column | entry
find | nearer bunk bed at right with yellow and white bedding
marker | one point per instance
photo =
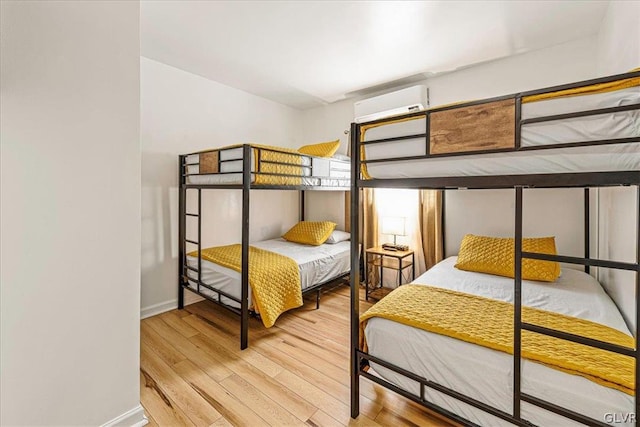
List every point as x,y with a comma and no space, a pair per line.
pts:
584,135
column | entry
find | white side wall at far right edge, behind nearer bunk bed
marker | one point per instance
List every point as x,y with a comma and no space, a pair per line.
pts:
619,52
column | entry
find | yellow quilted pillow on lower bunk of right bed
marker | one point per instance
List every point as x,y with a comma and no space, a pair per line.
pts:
496,255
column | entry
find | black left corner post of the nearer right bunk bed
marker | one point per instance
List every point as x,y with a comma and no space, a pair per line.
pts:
355,272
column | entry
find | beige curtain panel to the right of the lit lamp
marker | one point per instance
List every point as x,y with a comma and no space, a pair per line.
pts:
431,226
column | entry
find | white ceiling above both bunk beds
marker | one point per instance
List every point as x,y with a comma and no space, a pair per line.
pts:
310,53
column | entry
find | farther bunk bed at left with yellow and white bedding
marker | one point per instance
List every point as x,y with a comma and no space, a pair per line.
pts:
222,274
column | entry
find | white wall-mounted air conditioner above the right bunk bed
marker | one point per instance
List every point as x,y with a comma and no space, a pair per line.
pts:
411,99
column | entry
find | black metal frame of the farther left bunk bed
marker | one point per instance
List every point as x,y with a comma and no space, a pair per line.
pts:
246,187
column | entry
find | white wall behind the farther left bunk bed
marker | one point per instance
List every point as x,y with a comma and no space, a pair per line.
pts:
183,113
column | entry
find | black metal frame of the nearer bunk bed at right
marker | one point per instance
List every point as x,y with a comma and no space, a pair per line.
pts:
360,359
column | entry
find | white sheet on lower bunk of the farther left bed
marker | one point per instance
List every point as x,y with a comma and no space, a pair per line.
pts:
317,264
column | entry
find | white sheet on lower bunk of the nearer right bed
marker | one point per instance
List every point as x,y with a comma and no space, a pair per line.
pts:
487,374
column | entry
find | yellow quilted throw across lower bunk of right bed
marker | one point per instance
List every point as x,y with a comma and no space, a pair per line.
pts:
489,323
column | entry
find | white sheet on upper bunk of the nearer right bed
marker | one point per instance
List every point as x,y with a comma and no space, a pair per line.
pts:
576,159
